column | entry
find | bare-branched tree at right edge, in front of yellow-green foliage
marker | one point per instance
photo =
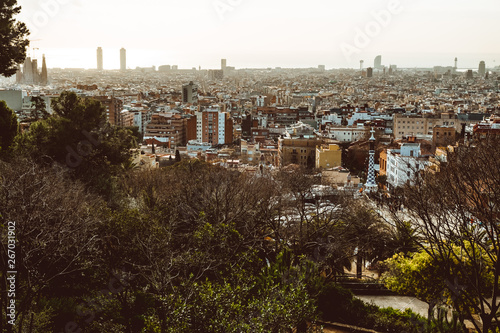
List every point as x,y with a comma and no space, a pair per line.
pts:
456,212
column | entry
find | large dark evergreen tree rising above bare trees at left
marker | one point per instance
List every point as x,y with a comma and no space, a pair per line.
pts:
77,135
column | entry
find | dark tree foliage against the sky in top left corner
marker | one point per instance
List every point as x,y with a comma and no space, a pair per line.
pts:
13,41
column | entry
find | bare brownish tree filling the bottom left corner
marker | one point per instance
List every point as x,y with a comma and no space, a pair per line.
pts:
55,225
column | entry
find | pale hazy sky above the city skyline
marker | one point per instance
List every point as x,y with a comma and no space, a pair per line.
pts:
264,33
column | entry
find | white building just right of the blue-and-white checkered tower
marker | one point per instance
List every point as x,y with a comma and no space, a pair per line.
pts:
404,163
